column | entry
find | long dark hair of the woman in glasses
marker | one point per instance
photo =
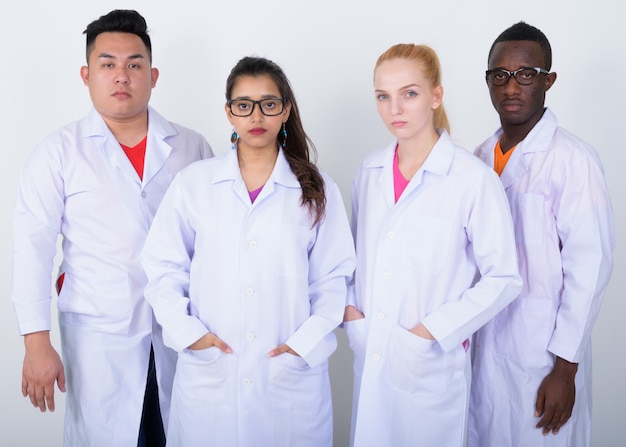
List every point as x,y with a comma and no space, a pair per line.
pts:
299,146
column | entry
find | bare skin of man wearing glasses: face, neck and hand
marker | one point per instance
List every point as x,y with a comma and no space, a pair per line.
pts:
520,108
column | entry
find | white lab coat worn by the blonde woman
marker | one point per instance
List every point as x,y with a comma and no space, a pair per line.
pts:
443,255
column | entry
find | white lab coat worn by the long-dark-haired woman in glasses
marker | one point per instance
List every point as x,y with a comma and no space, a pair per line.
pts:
257,275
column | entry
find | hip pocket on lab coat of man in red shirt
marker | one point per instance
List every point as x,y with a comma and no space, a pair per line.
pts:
101,302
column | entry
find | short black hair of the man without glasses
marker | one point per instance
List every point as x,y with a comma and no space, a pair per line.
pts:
118,20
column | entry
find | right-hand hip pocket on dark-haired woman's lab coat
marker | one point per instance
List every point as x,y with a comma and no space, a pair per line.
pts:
293,384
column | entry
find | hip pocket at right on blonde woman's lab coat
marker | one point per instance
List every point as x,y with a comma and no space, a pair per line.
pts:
415,364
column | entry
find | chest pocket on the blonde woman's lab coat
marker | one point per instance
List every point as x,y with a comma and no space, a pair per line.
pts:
428,242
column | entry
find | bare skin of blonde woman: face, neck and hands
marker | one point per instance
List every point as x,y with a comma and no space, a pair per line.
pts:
406,101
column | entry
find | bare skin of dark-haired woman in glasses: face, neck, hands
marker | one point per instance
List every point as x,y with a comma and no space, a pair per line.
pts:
257,150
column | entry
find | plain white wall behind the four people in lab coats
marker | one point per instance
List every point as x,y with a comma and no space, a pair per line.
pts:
328,49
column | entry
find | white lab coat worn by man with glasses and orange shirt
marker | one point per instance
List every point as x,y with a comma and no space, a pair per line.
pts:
564,230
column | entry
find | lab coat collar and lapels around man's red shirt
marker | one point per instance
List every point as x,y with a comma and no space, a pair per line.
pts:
157,148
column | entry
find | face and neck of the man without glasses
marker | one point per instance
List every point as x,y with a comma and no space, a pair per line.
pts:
120,81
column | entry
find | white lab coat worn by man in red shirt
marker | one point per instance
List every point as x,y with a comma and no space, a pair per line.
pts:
79,183
